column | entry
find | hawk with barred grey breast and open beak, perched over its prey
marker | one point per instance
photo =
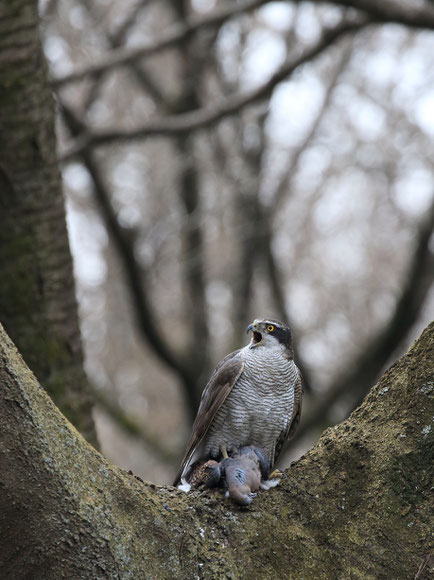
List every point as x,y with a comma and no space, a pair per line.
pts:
252,398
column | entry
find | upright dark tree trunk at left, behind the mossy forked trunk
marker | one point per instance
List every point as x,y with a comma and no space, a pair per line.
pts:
37,300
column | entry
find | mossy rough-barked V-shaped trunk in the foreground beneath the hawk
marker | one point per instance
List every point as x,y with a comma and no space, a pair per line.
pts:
358,505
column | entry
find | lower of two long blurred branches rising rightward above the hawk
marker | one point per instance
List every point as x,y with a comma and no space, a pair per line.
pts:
206,117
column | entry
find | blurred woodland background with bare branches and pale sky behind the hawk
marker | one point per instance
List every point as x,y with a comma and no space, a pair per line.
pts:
230,160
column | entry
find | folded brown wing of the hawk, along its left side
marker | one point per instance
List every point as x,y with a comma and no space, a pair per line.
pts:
224,377
